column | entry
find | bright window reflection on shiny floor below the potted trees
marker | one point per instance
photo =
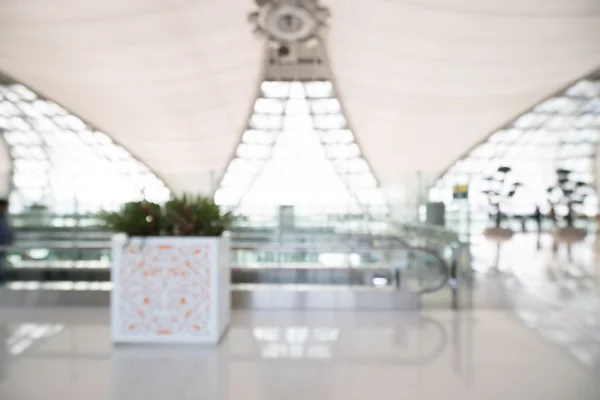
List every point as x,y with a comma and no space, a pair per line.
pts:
553,291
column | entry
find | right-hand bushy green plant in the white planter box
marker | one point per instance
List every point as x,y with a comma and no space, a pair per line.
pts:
190,215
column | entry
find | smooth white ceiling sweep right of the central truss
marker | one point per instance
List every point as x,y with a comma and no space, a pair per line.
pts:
425,80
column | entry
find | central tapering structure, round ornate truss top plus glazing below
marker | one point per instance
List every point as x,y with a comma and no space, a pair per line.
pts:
298,149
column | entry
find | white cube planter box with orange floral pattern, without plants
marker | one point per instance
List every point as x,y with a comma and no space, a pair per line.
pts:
170,289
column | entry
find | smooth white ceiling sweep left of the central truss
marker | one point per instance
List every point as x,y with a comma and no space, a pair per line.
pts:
171,80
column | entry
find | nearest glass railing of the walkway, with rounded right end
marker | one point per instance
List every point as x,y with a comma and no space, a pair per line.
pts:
404,268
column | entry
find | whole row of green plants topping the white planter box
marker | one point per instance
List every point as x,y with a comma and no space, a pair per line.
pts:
185,215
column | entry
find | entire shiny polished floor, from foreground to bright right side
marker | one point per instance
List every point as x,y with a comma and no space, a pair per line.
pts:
528,329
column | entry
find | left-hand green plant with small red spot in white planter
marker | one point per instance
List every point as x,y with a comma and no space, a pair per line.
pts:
138,218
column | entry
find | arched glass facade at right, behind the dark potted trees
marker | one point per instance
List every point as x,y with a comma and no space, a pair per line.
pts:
561,132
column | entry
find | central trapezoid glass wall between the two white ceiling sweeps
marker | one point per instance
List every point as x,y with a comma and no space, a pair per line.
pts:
298,151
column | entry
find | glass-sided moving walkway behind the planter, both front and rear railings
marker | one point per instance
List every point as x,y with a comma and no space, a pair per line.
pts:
413,257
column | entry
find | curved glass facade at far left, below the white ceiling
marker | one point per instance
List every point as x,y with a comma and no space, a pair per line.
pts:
61,163
